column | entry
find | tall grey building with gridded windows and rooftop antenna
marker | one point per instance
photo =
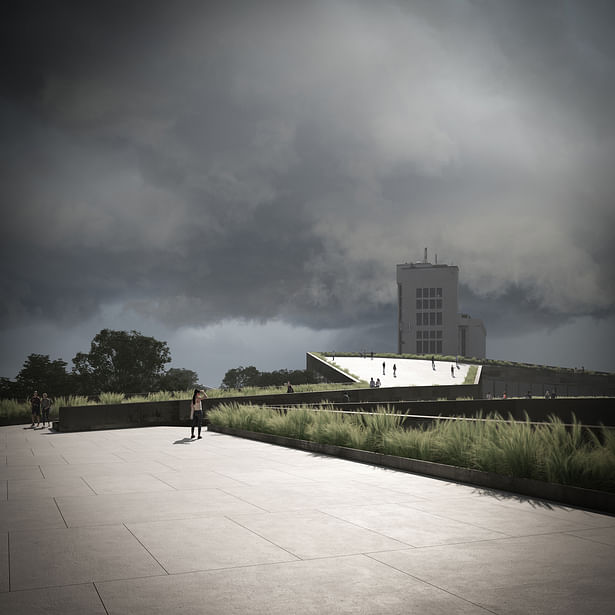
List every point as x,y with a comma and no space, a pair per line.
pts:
428,313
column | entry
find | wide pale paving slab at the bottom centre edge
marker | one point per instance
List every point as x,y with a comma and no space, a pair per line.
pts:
356,584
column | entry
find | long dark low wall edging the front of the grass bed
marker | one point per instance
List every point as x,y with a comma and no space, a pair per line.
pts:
575,496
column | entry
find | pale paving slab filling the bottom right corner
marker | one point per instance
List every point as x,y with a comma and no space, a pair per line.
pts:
495,574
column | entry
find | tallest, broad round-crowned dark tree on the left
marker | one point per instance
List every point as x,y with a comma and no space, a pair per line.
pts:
123,362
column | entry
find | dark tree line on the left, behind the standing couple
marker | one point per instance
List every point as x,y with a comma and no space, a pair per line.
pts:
118,361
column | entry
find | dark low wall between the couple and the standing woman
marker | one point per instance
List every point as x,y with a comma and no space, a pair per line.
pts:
118,416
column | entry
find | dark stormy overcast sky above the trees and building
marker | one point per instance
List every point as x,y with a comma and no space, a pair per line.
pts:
239,179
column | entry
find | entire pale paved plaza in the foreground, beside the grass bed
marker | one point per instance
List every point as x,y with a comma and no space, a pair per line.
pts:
148,521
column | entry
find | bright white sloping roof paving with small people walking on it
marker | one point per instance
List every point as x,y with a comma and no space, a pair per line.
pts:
408,372
